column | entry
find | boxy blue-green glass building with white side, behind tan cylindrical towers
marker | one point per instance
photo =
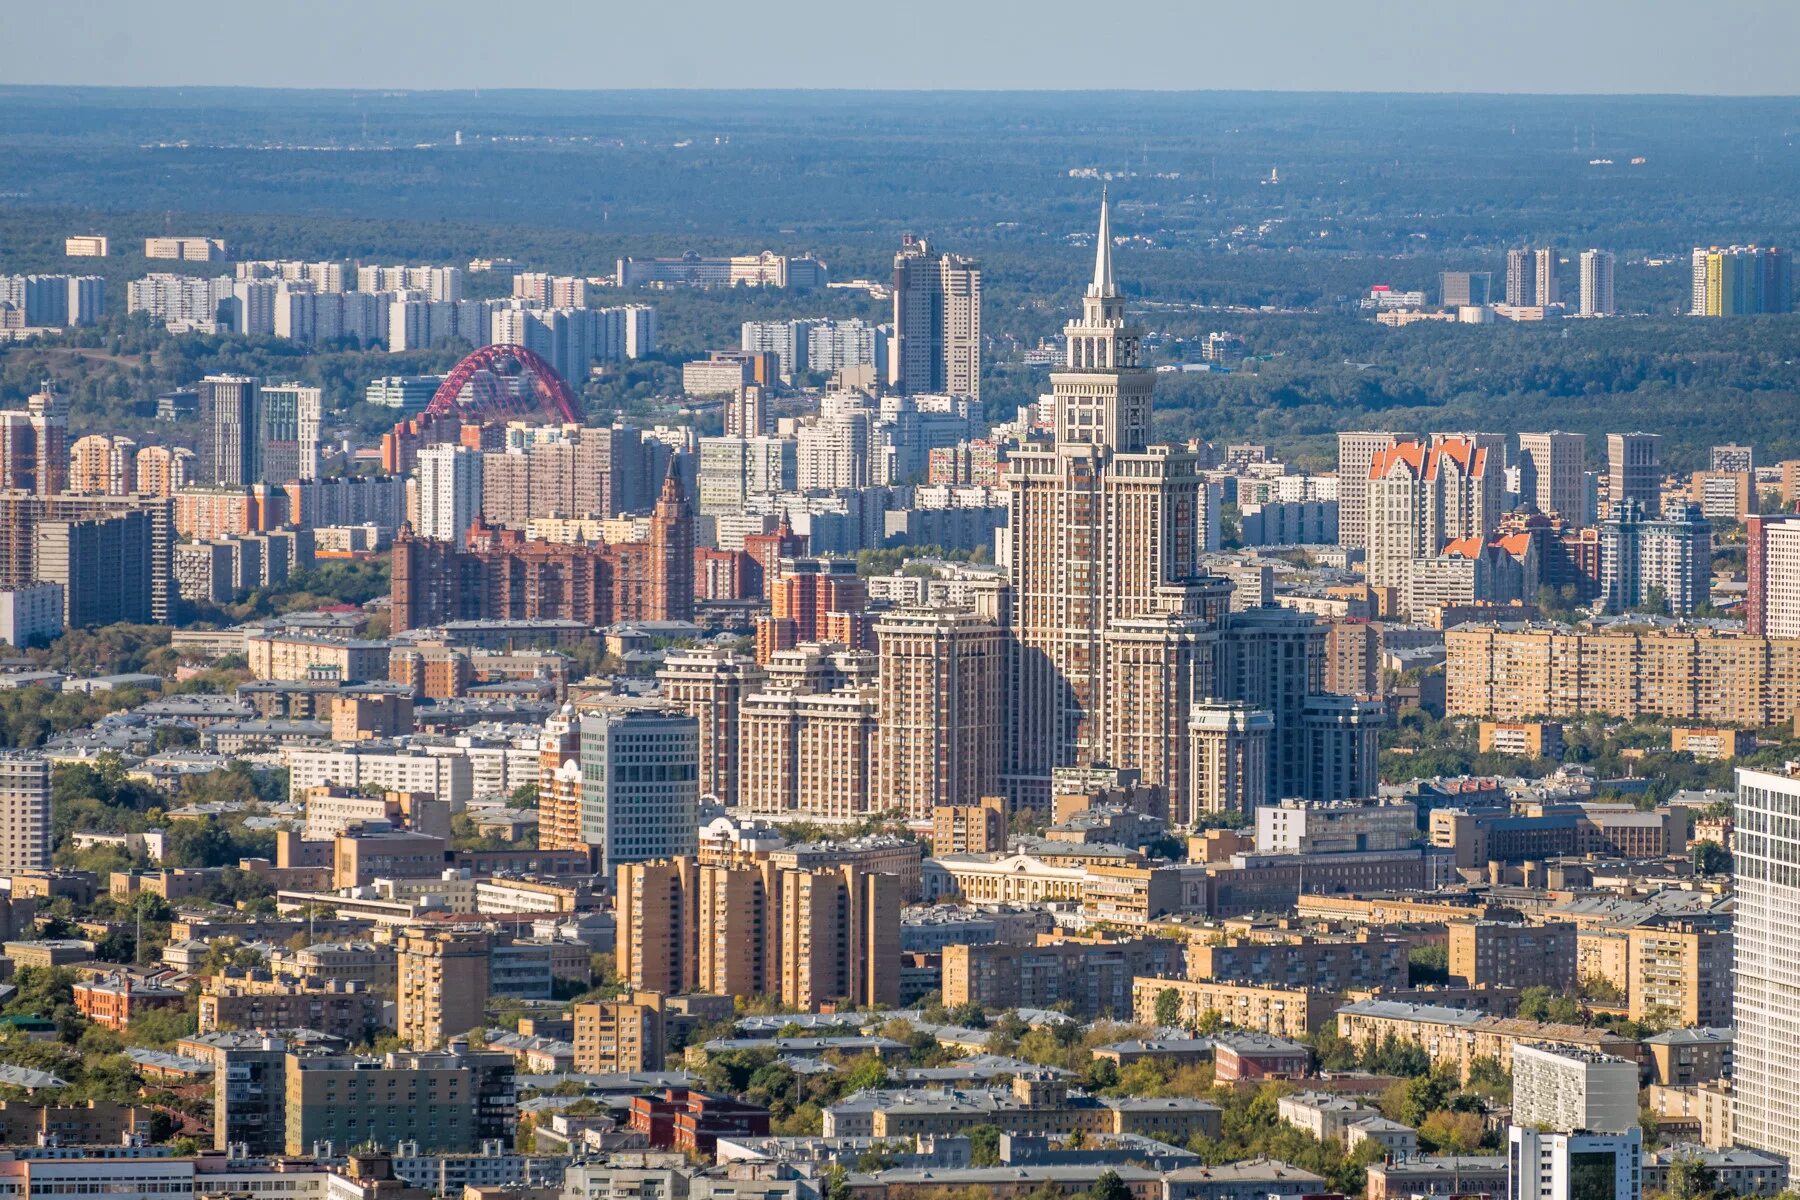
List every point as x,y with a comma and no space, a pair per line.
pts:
640,782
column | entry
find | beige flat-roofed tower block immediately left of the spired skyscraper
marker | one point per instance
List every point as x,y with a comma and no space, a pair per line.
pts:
940,721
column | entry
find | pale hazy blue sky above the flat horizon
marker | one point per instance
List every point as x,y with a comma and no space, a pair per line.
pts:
1372,46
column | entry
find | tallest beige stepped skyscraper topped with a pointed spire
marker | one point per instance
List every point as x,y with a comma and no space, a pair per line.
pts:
1102,524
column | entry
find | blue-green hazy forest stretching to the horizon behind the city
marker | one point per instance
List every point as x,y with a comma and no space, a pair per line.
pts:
1367,190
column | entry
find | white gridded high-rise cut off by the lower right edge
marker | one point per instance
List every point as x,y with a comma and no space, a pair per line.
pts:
1767,927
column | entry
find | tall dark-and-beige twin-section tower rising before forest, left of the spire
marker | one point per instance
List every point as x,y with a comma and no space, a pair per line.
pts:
937,339
